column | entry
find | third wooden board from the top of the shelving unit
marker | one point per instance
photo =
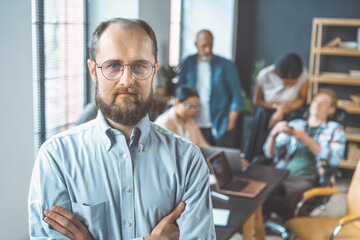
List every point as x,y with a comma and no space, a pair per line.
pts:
336,78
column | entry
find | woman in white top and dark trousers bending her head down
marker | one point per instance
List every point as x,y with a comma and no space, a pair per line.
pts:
280,89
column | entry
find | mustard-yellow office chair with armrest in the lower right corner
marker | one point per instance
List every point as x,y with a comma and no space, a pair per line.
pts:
348,227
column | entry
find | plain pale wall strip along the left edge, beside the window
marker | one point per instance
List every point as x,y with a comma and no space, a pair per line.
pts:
16,121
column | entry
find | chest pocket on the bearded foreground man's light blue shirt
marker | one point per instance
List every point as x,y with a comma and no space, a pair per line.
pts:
95,217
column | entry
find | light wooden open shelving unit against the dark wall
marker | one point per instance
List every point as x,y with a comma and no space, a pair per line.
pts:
335,78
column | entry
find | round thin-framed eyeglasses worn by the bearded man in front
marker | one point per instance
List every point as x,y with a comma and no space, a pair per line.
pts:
114,69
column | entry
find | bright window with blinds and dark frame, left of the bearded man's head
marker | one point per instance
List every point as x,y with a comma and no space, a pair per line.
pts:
59,47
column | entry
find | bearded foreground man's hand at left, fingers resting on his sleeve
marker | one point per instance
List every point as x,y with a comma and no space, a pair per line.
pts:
66,223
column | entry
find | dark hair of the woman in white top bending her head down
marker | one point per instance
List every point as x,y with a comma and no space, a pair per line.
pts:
289,66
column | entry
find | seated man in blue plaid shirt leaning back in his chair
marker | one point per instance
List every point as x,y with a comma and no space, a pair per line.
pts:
310,147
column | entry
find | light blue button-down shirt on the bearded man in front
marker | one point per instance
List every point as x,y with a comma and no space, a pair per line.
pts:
121,190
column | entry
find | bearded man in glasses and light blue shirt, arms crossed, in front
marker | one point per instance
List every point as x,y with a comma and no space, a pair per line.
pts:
120,176
